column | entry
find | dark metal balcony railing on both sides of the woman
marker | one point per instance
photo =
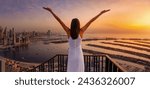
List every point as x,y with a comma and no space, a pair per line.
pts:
93,63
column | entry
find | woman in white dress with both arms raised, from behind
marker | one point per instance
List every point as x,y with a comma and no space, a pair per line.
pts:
75,34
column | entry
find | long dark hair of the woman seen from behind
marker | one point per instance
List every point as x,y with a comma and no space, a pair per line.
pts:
75,28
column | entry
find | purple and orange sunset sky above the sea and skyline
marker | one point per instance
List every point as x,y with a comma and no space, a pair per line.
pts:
125,17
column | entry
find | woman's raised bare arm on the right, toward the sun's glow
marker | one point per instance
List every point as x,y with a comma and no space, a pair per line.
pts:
83,29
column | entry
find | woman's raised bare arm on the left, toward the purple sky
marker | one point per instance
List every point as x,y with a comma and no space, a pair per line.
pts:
58,19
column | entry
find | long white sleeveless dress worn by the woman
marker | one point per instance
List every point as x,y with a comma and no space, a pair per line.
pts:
75,55
